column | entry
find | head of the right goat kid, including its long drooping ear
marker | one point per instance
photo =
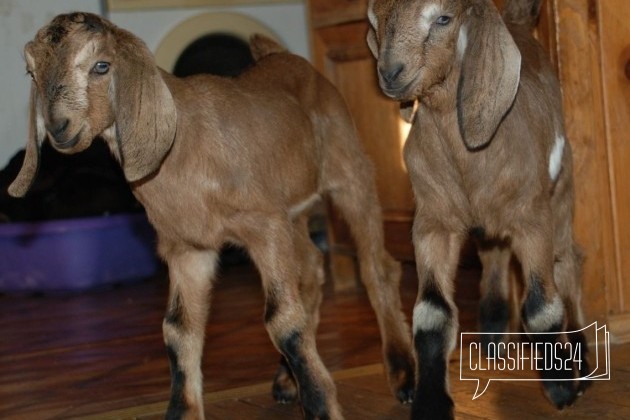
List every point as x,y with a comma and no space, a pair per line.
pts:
420,44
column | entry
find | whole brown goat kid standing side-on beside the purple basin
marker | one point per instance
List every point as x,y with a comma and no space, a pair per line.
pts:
216,160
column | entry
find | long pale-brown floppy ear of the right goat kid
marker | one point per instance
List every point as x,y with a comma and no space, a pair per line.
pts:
489,77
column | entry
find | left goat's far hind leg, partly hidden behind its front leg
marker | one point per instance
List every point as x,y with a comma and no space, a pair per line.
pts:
311,279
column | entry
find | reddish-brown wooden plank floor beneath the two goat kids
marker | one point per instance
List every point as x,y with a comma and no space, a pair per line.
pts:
100,355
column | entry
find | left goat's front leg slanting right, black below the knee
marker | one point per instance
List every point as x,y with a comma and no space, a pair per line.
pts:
271,245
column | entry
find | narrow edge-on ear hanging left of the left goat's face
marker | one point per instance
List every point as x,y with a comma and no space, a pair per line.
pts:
19,187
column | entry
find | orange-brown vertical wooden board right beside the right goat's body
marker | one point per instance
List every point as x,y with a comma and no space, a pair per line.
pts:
580,76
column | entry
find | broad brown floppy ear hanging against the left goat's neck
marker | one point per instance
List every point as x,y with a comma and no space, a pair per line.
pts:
146,117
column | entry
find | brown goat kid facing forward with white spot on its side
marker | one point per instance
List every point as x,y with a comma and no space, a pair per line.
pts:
487,156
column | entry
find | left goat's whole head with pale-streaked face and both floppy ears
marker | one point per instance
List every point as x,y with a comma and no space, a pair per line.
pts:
90,78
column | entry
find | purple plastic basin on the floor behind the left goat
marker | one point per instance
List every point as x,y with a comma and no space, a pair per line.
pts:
76,254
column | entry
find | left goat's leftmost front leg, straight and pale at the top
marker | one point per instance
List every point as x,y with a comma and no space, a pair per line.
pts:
191,273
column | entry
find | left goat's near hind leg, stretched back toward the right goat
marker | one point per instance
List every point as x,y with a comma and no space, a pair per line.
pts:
348,177
